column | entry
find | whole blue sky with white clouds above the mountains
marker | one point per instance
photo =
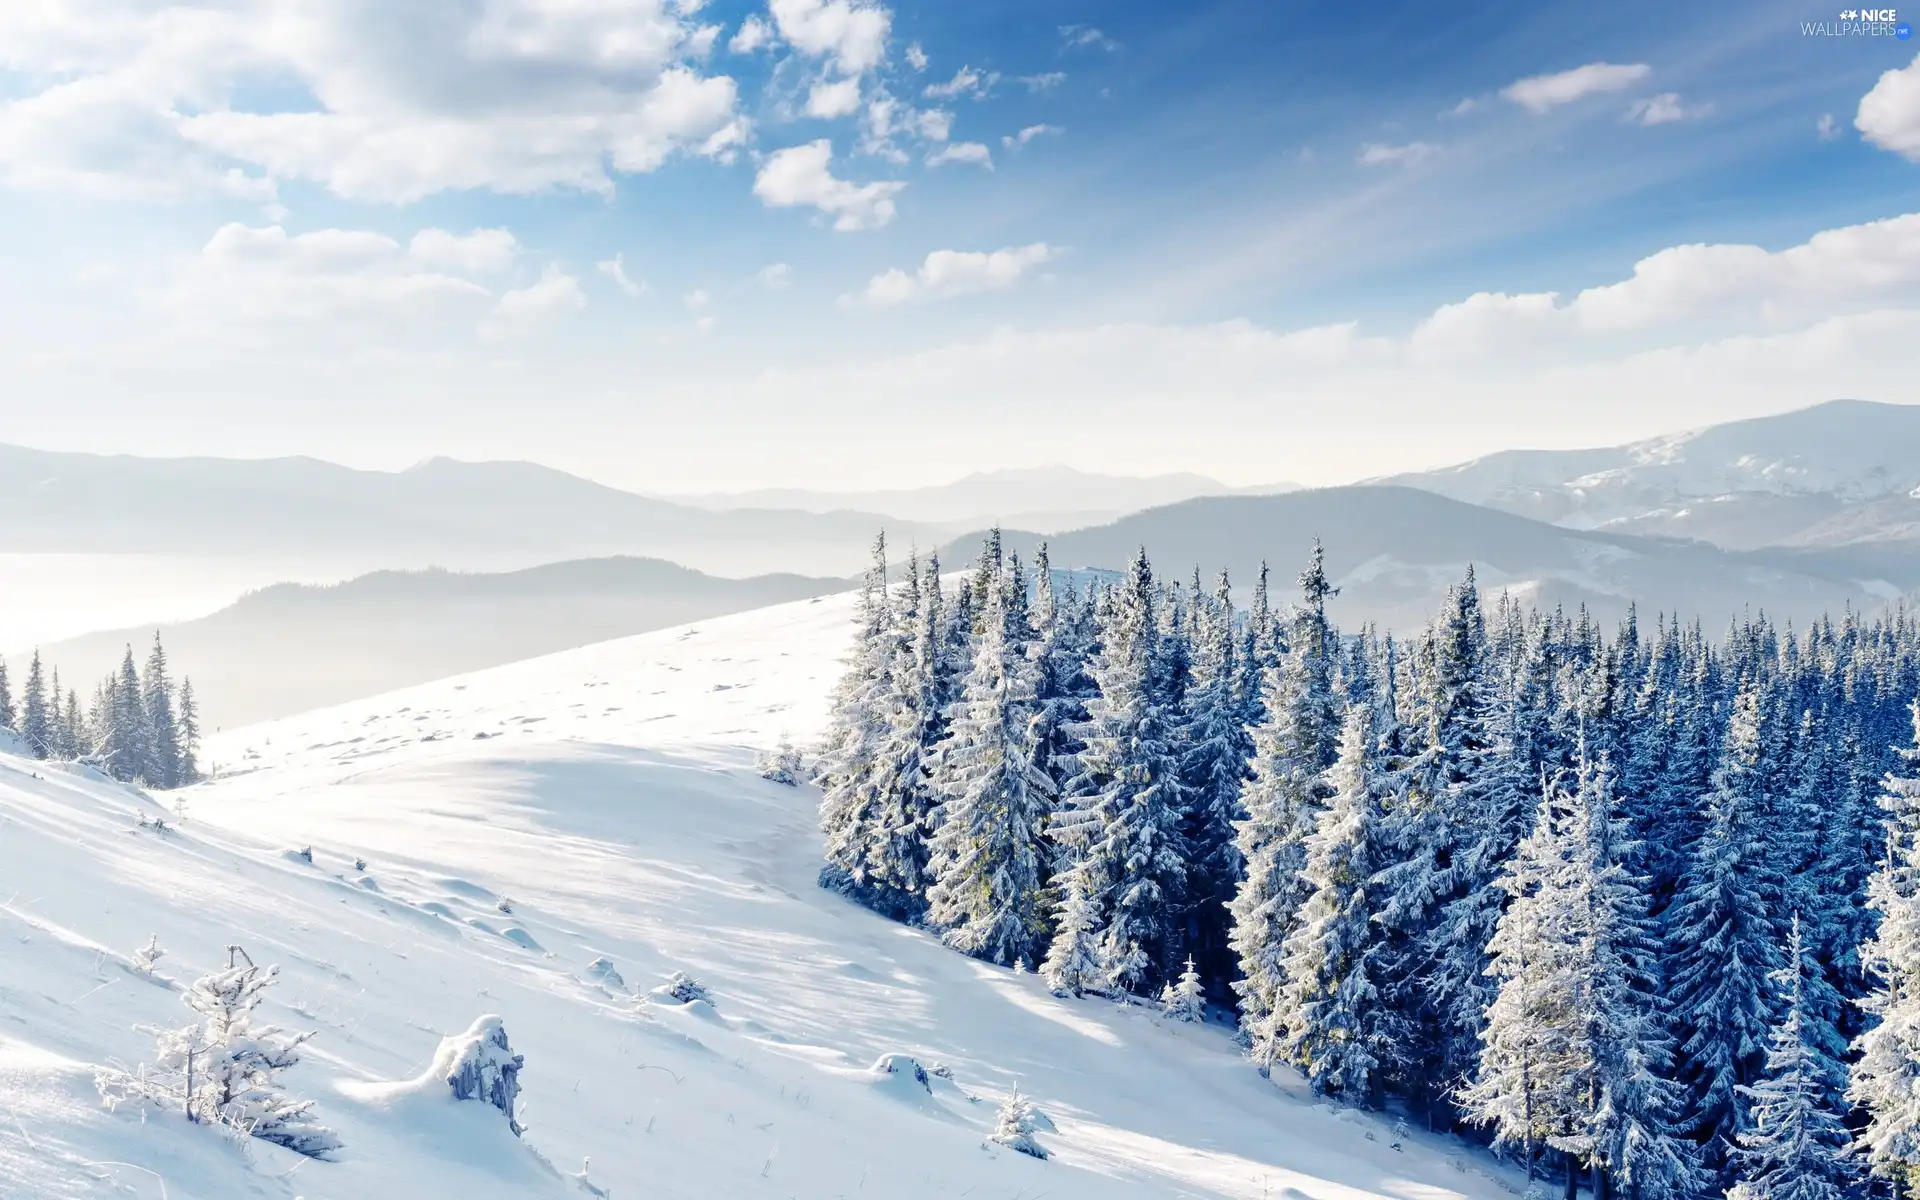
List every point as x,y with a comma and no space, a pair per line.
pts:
865,245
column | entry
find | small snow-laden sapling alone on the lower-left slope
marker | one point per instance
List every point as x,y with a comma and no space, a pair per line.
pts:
224,1068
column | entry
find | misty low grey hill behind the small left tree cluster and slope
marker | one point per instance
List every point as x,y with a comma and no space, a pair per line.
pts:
295,648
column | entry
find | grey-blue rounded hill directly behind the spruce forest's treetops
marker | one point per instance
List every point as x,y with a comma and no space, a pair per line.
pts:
1397,550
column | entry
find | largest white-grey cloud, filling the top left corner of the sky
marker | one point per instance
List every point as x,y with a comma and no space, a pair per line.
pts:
514,95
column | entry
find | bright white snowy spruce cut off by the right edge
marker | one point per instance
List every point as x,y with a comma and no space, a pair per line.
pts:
1886,1076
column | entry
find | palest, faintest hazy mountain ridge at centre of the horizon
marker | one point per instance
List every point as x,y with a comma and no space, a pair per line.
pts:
1038,498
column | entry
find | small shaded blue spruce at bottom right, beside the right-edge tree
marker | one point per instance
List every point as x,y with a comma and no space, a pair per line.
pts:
1798,1145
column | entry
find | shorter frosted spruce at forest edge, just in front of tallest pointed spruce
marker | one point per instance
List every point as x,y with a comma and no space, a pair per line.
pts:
1337,1026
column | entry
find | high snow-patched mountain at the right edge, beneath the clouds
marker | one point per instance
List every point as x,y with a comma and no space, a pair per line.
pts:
1812,477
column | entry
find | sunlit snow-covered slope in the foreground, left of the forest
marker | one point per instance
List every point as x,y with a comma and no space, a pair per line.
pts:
606,798
